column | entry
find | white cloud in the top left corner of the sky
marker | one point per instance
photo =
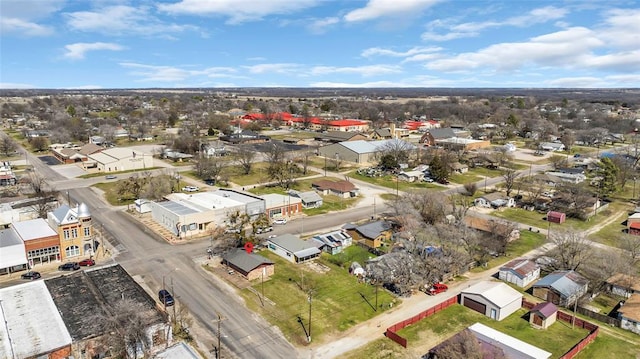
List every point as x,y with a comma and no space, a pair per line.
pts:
21,16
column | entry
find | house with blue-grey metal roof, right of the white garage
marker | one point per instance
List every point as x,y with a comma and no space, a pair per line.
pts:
561,287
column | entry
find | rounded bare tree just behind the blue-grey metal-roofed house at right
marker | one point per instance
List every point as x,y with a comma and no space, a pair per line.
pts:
571,250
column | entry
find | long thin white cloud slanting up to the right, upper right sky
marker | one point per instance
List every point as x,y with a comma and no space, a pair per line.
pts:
472,29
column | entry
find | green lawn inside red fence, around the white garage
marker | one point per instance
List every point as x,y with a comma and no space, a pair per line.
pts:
557,339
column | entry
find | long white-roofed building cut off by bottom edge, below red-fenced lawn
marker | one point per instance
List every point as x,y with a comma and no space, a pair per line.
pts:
492,344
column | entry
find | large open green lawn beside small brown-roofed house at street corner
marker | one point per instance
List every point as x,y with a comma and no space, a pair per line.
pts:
337,304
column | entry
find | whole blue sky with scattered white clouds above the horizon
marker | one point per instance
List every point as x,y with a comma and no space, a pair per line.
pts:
318,43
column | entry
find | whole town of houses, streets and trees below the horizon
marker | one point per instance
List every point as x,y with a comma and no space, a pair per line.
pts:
316,228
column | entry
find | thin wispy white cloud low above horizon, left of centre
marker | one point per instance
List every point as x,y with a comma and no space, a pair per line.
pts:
159,73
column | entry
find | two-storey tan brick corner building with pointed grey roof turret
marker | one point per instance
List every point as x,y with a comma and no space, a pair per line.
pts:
75,230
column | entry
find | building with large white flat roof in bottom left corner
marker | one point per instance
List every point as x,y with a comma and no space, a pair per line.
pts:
32,326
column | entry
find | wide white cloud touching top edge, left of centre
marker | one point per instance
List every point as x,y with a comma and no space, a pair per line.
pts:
237,11
